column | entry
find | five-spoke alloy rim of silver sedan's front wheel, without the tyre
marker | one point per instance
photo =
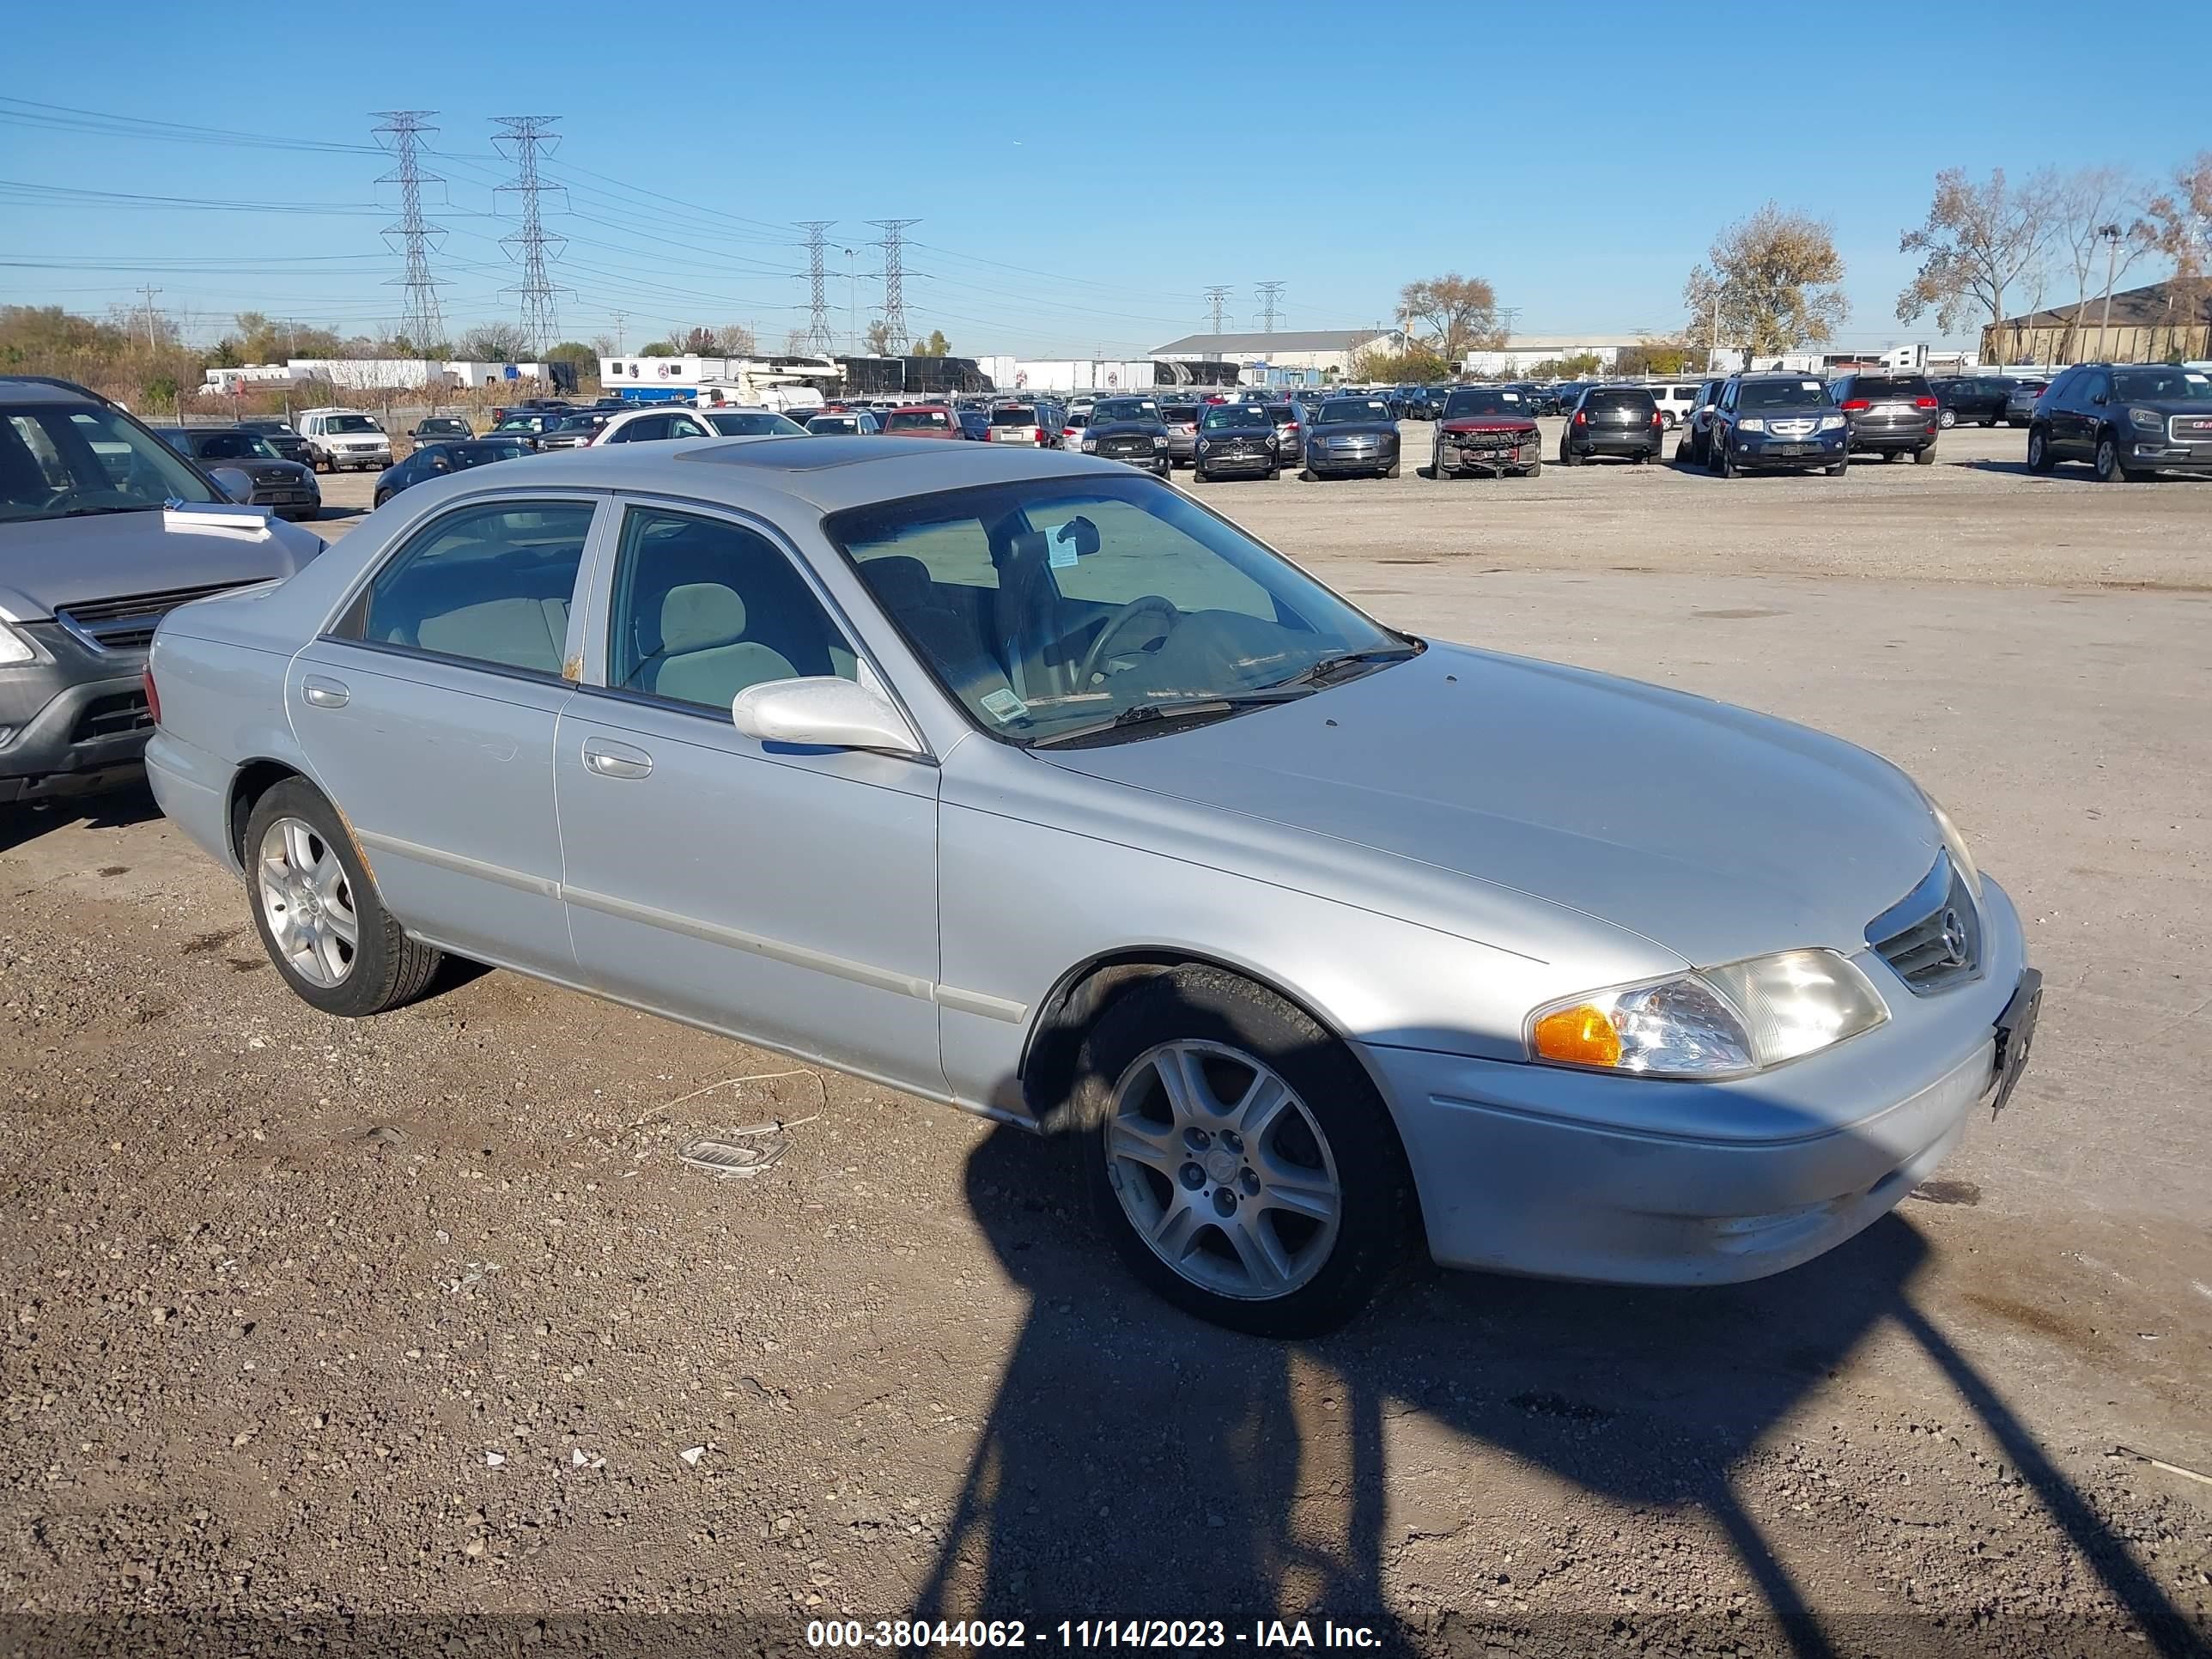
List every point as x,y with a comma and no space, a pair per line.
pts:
1222,1171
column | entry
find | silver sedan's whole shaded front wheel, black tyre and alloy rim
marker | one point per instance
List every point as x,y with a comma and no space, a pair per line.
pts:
1240,1156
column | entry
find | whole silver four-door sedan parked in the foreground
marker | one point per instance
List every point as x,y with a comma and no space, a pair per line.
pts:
1025,782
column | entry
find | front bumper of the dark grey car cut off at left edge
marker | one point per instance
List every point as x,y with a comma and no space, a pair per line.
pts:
74,720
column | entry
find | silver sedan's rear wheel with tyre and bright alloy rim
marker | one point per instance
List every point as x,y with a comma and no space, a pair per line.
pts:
320,915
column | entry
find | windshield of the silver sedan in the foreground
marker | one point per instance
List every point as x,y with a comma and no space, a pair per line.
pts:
1058,605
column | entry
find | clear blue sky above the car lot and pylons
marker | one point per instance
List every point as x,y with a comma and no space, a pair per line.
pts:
1081,174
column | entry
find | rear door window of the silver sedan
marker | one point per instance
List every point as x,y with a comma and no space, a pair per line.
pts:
486,585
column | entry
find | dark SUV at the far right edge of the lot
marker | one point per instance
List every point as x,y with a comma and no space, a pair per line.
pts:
2125,419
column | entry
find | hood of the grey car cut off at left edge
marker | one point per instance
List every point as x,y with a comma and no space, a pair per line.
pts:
59,563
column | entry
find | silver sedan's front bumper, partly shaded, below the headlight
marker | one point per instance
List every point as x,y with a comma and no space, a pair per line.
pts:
1627,1180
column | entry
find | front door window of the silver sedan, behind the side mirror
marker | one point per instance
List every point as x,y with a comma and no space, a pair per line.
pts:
707,609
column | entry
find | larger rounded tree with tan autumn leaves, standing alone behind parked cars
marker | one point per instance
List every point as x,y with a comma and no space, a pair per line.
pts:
1768,284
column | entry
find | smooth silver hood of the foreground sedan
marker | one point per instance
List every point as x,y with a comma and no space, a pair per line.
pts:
1707,828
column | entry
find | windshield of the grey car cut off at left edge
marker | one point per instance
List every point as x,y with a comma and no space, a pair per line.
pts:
61,459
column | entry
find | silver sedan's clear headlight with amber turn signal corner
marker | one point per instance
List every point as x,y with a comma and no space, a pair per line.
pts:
1715,1023
